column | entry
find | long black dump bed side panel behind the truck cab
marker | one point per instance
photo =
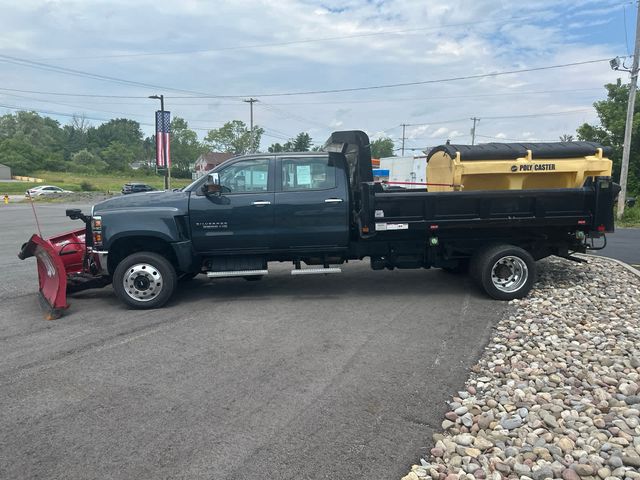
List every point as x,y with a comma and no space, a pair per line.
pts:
392,212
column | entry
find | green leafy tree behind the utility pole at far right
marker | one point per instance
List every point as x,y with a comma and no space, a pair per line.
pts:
612,114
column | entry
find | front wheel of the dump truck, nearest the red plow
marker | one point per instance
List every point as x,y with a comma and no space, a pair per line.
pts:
144,280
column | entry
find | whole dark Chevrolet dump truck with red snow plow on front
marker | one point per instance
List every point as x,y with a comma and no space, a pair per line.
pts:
319,210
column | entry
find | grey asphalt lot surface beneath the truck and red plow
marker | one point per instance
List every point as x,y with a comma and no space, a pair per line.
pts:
318,377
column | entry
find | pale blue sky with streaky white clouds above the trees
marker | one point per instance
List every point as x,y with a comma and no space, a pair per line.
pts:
102,59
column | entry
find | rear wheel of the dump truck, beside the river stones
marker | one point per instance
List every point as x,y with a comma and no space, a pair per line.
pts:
505,272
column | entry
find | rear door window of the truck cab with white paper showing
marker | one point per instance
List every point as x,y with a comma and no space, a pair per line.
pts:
308,173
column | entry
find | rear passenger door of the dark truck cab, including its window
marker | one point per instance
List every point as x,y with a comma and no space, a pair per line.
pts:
312,203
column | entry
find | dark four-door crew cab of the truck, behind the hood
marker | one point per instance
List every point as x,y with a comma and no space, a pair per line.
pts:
265,204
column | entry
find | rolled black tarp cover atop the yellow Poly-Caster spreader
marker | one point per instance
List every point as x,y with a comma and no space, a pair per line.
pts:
511,151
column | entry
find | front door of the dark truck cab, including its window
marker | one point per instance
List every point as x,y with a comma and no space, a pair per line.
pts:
241,217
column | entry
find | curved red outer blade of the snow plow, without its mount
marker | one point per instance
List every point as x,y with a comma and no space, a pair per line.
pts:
52,276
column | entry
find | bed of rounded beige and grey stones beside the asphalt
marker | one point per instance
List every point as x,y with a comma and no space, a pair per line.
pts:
556,393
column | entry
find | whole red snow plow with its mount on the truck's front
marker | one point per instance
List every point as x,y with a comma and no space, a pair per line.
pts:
65,265
